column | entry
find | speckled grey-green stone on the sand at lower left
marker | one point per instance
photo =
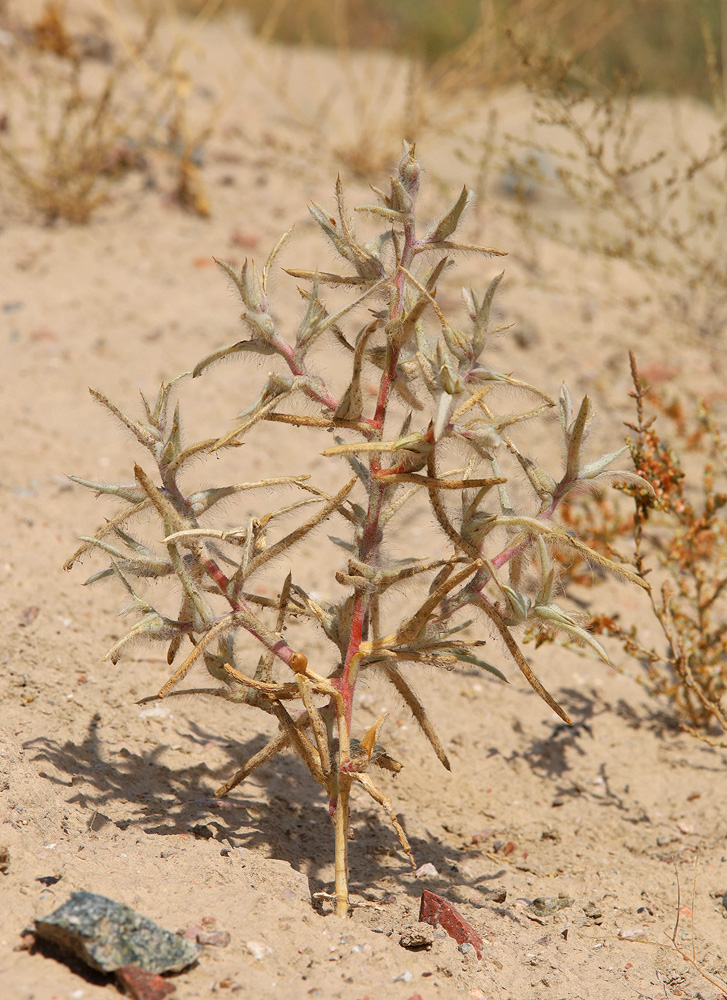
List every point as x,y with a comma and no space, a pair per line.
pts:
107,935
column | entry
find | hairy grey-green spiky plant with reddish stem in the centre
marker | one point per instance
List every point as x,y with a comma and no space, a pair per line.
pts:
432,392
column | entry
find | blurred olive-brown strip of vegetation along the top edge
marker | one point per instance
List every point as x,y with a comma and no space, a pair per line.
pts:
667,46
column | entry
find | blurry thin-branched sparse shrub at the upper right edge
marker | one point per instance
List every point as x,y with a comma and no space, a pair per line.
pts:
652,200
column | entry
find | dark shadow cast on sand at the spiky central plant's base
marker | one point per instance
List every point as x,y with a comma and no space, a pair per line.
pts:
281,817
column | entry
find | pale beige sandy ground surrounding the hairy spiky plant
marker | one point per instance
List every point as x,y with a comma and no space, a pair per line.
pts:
100,794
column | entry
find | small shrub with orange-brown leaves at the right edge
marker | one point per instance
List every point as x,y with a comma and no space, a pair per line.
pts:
680,531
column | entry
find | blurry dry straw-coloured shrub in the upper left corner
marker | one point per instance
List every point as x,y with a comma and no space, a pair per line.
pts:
83,107
